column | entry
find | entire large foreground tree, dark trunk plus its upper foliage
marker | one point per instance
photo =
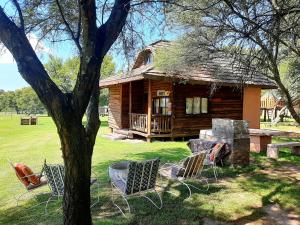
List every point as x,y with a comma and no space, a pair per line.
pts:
93,27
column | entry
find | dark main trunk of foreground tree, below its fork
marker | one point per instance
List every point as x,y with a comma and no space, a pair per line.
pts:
77,149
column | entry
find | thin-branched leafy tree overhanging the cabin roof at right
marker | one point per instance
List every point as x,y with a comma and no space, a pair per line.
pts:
258,35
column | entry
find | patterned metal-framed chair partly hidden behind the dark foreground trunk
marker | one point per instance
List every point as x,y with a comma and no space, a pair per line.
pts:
56,184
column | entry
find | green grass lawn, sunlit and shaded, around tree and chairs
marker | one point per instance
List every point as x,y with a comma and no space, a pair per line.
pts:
239,196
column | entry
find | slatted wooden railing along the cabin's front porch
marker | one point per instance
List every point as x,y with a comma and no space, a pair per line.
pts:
159,123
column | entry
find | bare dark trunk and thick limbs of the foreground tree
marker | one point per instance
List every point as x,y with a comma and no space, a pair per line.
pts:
67,110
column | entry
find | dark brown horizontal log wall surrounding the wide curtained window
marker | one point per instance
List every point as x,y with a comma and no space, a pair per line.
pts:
225,103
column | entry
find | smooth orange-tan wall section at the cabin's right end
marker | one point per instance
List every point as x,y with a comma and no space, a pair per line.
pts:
251,106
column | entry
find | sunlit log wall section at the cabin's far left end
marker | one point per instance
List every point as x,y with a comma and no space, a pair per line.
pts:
114,115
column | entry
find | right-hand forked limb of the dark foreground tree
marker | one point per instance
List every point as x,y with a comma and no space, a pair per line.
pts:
96,43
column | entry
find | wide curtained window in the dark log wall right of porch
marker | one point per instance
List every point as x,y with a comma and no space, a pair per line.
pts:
196,105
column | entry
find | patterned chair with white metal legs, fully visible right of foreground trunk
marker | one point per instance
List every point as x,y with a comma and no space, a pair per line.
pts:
141,179
